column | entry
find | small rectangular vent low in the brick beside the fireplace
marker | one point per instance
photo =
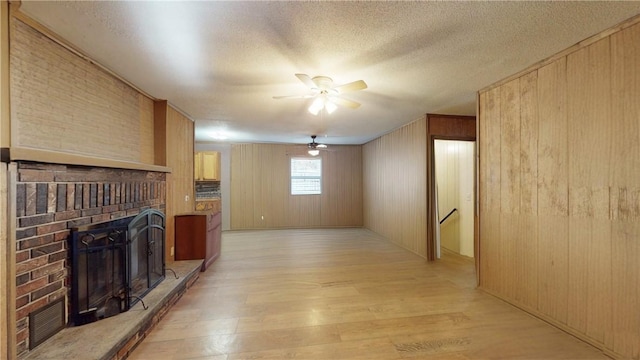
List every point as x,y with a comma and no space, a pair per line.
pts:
46,322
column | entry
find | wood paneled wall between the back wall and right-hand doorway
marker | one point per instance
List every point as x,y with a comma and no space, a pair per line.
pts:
395,185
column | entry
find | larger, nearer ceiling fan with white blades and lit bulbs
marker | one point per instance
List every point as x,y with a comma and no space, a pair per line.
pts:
327,96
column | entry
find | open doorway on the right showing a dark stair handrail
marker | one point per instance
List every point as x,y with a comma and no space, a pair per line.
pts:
454,175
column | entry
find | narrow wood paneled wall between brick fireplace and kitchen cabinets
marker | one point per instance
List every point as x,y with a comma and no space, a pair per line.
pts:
179,157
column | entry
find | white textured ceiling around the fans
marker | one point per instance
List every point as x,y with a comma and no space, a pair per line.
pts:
222,62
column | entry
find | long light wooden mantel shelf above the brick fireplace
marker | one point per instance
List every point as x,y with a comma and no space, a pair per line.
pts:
55,157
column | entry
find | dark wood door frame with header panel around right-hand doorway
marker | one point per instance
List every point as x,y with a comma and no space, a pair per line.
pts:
445,127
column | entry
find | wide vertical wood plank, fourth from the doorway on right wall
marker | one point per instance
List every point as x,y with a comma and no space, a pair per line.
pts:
553,191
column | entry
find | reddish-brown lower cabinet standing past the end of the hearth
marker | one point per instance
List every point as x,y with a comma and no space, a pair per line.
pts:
198,236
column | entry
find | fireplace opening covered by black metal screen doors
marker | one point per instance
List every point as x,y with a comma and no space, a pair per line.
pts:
114,264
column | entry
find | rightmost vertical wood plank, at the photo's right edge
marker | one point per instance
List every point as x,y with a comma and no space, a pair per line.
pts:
625,191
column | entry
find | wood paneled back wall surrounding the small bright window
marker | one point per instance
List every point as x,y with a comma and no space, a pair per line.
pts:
260,188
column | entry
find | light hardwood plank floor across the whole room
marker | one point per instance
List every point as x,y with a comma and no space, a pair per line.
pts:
345,294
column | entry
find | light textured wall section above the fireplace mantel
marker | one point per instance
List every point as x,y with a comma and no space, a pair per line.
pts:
64,103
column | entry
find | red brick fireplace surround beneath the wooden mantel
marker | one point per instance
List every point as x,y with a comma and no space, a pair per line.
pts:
51,199
